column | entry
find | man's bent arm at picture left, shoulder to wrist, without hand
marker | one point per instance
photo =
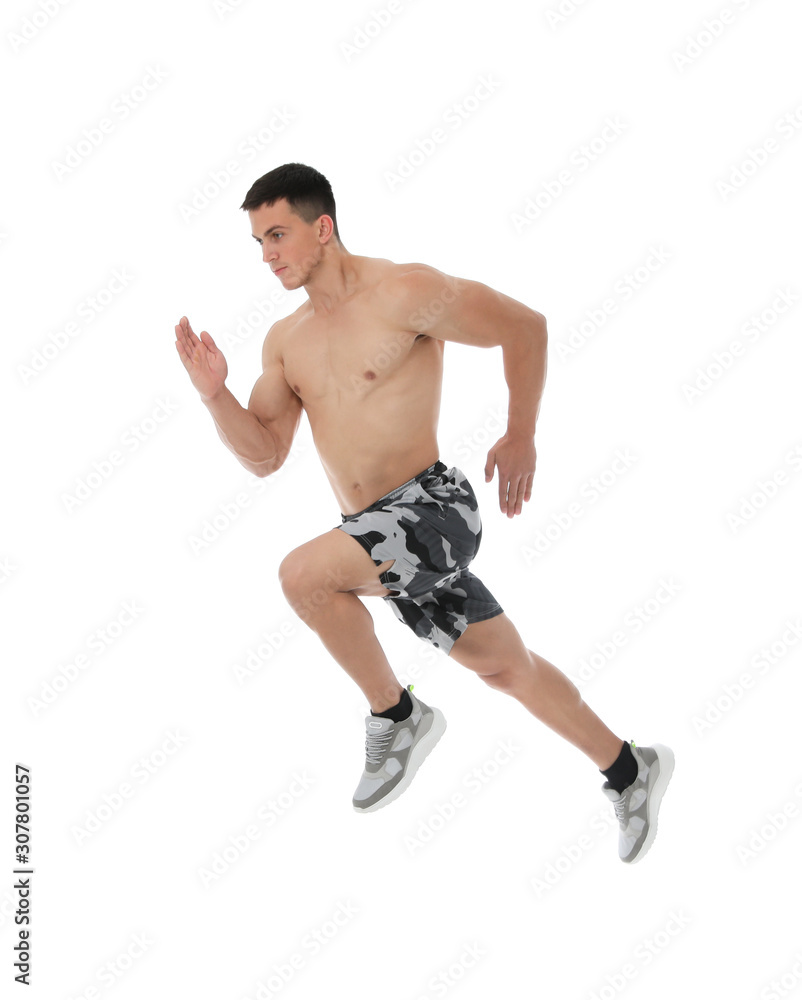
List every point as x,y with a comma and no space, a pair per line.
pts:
260,435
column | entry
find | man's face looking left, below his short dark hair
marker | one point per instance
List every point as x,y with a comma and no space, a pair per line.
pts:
290,246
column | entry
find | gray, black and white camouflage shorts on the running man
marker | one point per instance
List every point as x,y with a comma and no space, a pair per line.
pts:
431,526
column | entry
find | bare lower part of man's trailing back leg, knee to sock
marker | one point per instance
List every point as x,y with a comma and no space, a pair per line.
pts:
556,701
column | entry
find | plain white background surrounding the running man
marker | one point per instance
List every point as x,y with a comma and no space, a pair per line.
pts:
700,99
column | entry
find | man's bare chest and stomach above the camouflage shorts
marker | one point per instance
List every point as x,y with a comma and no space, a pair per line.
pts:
372,394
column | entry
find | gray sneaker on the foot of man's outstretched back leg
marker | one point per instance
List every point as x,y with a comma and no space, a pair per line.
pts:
636,807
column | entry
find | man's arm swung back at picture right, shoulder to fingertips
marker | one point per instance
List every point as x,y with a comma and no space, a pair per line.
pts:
469,312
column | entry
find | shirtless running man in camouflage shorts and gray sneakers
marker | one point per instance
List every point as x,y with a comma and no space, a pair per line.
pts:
363,356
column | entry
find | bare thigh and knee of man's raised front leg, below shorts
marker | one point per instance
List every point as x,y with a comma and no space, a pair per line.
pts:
337,561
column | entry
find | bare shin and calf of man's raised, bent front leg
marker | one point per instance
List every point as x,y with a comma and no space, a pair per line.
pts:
345,627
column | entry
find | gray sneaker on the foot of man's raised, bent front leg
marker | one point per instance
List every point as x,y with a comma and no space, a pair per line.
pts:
394,751
